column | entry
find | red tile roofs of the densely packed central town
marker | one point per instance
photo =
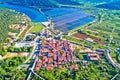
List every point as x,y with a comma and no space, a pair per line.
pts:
47,61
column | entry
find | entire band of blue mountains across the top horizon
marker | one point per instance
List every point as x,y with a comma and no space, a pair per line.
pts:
109,4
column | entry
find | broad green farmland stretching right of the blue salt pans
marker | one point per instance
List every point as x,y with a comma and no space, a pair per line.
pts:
106,27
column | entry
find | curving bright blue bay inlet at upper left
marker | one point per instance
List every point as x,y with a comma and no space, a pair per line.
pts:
34,15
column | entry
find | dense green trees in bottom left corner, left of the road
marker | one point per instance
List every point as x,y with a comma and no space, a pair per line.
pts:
8,69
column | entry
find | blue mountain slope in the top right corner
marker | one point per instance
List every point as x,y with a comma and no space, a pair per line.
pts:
112,5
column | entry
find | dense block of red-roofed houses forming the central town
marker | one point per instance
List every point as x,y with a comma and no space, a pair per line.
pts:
53,54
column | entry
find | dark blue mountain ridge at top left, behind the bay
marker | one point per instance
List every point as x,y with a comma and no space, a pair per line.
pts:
28,3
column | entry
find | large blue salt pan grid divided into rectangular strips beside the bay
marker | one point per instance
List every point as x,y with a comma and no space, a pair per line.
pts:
66,19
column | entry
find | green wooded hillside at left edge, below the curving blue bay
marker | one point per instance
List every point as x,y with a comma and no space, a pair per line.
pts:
7,17
